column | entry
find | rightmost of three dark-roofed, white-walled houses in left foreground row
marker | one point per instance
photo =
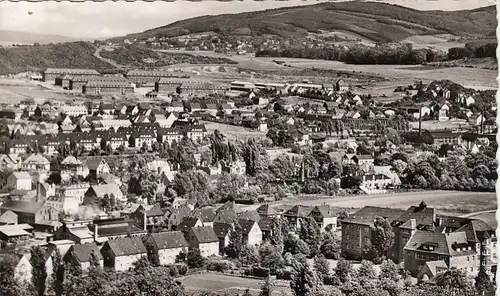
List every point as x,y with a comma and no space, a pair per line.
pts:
204,239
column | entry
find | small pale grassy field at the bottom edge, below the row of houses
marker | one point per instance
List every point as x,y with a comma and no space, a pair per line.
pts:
222,283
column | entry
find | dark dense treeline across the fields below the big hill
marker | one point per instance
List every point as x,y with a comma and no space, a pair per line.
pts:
380,54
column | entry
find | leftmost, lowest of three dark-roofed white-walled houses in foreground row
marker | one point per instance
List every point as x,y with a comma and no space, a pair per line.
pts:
120,254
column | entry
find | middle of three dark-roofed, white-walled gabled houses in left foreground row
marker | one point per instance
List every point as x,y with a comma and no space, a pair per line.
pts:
166,245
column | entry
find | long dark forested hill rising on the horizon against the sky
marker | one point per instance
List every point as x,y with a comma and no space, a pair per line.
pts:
379,22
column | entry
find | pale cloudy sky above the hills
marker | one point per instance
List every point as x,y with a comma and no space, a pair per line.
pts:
88,19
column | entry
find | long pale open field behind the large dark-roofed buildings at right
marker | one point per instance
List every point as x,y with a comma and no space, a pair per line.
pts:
449,202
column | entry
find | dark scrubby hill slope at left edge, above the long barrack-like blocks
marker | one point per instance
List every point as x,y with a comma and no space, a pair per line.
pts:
37,58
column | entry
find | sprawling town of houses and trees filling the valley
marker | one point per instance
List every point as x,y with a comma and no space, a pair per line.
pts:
100,182
